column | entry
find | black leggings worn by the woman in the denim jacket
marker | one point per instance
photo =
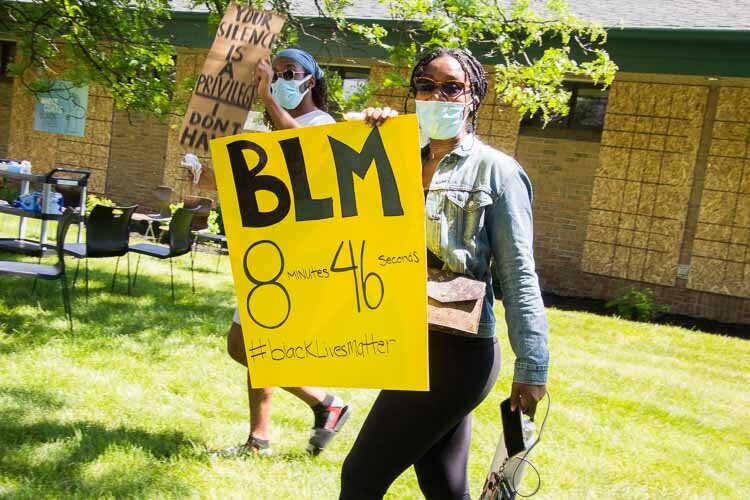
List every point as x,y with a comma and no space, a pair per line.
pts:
430,430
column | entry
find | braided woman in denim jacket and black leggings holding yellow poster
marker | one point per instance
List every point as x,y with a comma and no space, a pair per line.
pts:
477,208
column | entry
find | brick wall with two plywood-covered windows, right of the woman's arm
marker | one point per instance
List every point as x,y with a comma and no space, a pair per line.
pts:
662,202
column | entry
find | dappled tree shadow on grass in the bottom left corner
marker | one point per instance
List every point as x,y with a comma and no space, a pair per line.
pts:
59,459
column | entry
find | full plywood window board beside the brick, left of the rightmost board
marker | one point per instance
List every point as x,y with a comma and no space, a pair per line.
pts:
642,185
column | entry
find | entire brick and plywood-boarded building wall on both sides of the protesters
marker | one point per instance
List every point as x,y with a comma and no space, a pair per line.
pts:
661,201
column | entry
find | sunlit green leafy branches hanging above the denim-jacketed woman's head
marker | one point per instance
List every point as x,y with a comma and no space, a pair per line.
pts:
538,51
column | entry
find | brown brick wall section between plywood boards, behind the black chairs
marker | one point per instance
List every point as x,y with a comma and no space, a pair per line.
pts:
137,159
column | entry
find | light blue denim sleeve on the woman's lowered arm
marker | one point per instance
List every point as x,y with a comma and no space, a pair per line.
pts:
510,228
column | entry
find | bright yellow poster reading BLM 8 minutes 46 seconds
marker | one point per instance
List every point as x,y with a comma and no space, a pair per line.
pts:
325,227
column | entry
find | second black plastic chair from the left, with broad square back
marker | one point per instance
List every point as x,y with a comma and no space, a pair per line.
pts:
107,234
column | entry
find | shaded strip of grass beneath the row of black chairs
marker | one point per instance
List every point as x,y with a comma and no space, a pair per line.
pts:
30,319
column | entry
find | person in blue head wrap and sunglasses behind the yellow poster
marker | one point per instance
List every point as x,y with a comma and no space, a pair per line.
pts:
293,91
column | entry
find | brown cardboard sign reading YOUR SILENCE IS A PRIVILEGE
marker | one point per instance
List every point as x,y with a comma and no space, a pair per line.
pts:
226,86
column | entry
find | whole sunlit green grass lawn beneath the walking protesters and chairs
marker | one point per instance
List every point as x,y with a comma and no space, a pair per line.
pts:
129,403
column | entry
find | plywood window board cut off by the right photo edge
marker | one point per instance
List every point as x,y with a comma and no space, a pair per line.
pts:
720,262
